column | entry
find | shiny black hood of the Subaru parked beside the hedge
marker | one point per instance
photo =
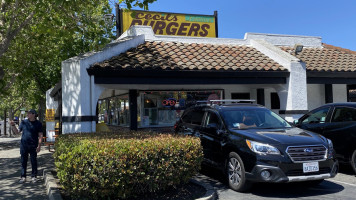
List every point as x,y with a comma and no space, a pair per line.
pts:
290,136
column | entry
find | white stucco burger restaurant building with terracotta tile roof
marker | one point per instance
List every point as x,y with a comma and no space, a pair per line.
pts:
143,80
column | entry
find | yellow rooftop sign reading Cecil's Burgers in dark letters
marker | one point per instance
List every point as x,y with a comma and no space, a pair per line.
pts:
171,23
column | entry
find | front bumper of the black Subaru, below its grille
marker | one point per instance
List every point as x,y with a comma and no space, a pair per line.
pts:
281,174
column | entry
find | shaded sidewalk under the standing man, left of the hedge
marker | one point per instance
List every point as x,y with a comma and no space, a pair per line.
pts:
10,171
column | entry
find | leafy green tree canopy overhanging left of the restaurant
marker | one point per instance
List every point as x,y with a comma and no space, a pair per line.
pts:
37,35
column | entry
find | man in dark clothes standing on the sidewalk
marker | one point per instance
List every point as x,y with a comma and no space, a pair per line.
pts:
31,140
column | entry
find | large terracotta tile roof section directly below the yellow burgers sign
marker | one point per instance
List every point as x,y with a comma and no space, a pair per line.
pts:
184,56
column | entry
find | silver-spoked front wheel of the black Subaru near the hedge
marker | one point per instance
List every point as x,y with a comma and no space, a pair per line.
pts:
236,173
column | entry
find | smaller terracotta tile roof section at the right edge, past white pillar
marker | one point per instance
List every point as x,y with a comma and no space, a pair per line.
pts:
328,58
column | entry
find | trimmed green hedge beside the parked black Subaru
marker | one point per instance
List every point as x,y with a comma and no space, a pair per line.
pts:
104,165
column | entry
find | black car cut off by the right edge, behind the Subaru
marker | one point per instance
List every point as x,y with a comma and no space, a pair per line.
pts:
336,121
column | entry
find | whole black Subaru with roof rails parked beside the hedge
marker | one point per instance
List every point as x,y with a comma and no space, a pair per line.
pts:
250,143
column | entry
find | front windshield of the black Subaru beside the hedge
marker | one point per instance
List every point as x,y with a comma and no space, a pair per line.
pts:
253,118
